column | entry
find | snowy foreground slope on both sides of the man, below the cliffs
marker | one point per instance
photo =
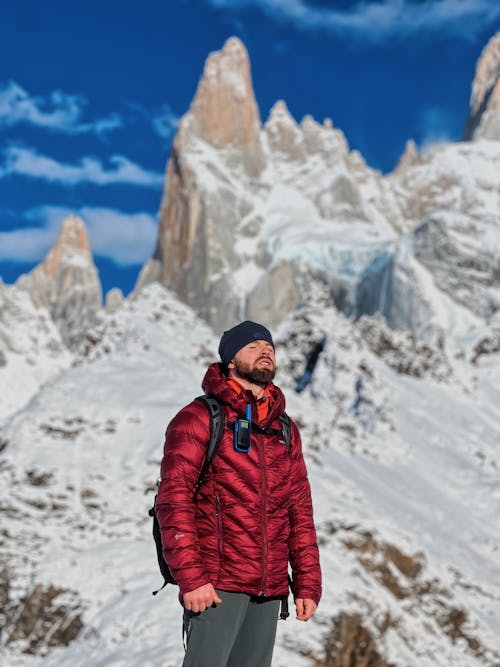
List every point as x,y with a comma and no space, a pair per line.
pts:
405,488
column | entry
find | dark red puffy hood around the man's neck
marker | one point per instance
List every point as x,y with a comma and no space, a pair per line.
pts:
215,383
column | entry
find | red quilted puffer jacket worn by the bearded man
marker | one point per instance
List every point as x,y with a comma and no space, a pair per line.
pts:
253,512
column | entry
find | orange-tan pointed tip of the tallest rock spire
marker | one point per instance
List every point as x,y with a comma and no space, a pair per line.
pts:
224,111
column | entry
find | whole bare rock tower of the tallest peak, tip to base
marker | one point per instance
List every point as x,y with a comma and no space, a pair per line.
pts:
194,254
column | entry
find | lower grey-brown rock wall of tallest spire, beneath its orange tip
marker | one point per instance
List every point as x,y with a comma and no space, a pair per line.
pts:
194,254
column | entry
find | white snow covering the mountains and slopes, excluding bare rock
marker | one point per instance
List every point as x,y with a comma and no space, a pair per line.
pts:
414,469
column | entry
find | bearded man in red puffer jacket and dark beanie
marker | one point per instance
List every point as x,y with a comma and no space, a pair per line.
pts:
229,545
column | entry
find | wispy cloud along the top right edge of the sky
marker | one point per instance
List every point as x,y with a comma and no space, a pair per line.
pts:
374,19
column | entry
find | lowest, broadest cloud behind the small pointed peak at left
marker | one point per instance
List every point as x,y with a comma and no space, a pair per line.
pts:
127,239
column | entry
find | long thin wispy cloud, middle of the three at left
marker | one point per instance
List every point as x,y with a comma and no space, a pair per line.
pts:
23,161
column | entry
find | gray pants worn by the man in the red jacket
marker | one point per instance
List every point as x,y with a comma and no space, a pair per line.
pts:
239,632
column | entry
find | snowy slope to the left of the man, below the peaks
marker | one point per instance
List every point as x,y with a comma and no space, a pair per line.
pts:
94,436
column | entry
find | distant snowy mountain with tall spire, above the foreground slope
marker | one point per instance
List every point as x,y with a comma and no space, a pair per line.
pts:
253,214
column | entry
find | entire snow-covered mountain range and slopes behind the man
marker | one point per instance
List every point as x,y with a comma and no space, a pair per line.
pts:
383,293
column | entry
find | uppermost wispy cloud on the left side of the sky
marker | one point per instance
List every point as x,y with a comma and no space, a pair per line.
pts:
59,112
